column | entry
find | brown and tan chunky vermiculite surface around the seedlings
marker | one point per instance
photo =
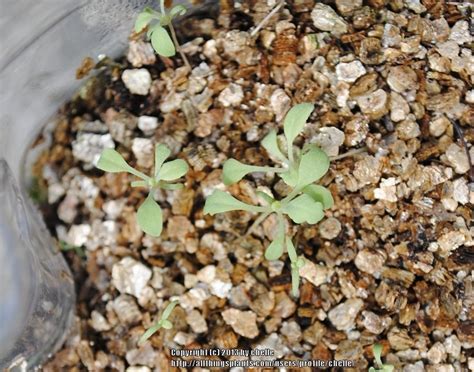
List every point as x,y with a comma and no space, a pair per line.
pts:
392,261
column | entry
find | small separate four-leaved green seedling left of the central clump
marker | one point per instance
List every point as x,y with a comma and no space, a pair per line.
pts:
149,214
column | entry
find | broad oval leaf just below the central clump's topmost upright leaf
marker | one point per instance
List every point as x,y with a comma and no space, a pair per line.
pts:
313,165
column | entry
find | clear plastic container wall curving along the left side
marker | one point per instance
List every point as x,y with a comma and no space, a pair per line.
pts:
43,43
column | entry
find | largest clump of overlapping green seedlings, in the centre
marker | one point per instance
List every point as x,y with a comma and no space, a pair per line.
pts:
301,168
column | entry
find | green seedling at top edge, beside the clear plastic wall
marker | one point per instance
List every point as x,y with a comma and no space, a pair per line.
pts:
161,41
